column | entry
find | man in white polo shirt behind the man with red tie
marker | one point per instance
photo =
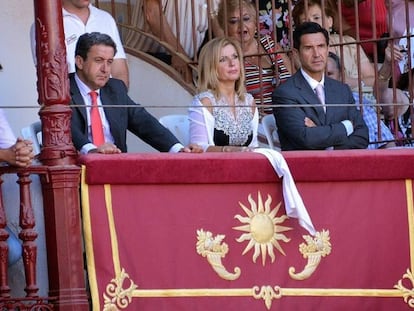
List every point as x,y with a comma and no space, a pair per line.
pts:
79,17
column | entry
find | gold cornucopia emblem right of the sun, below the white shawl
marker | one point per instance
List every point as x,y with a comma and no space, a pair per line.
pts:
314,249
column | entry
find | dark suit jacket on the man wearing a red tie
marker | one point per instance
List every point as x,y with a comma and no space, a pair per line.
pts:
133,118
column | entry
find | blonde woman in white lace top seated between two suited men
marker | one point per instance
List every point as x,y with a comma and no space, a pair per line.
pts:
223,116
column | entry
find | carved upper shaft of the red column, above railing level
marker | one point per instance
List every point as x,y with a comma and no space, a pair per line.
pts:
53,84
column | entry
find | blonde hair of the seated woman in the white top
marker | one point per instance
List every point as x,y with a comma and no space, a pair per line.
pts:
208,63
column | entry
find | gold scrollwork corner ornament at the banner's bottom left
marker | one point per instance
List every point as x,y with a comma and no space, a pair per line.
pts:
117,297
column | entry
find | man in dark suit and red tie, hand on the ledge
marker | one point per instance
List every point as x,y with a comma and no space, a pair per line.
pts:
94,56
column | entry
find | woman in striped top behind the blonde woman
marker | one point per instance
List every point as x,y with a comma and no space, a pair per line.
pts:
264,67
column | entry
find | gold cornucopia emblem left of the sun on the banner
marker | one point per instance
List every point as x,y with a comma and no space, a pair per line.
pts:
214,249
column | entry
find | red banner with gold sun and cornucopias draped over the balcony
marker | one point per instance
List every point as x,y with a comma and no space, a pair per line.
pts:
210,232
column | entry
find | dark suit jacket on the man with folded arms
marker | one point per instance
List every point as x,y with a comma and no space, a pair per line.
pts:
329,131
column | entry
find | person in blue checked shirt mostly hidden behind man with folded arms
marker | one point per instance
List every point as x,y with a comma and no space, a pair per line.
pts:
385,140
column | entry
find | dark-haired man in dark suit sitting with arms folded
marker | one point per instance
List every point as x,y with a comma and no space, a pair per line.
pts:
306,121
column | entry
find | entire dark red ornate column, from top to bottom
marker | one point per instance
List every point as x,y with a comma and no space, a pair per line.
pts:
61,184
